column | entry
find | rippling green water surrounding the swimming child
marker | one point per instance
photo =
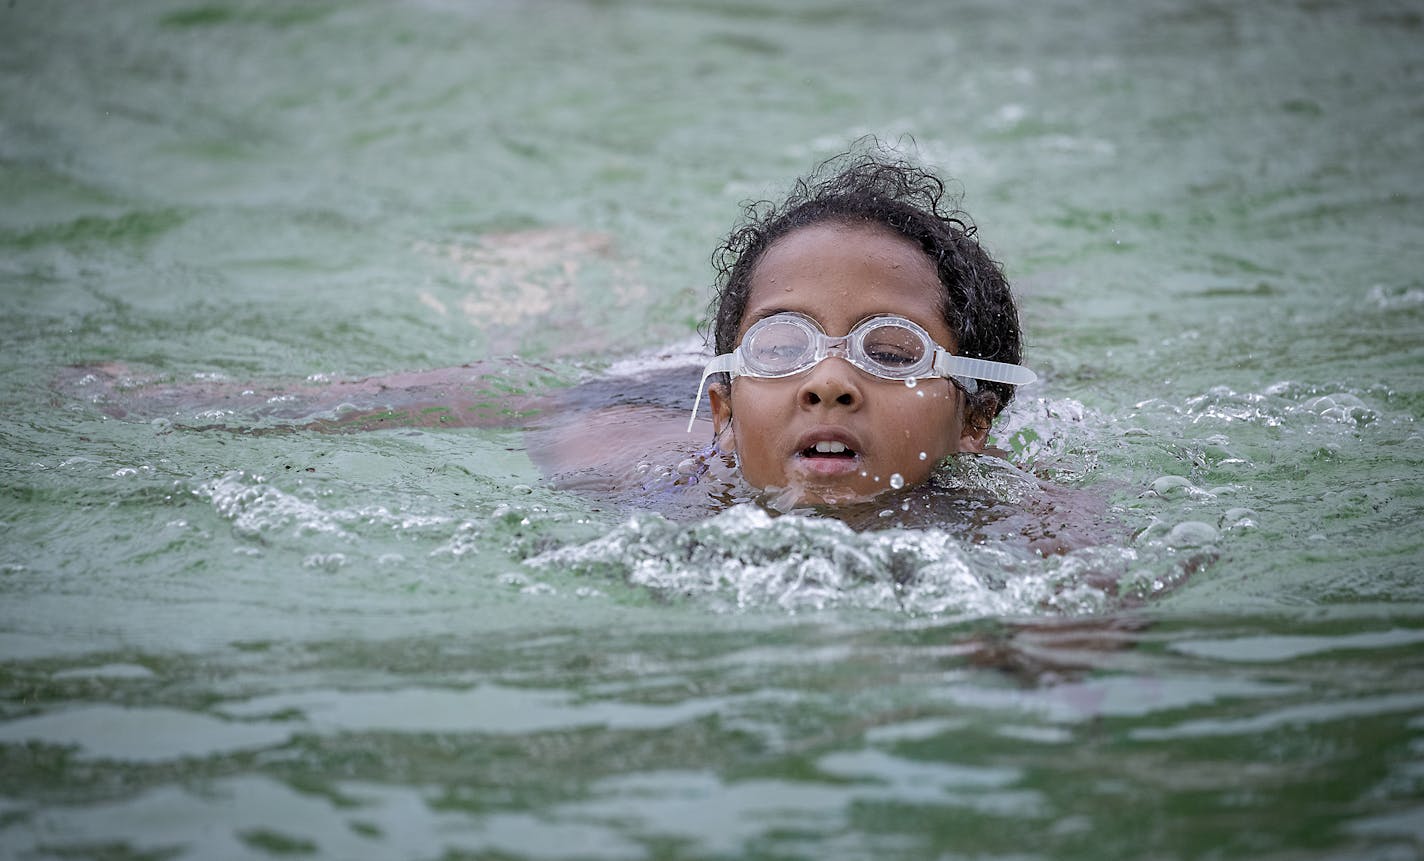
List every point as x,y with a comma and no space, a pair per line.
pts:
407,644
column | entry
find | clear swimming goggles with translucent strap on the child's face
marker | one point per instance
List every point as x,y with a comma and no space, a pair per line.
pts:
885,347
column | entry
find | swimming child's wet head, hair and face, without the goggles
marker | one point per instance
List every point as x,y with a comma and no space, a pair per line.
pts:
864,237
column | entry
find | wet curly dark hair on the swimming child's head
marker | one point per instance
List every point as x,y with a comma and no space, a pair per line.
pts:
881,189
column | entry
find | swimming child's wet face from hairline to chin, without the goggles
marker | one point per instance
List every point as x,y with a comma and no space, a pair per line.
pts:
876,429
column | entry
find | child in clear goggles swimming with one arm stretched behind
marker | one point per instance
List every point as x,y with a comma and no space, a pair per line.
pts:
864,344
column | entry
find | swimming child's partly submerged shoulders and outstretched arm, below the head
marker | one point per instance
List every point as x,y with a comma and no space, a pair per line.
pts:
620,440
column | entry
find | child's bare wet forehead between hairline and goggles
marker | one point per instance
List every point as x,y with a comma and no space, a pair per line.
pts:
844,274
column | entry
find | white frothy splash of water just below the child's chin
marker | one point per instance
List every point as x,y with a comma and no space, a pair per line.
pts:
745,559
